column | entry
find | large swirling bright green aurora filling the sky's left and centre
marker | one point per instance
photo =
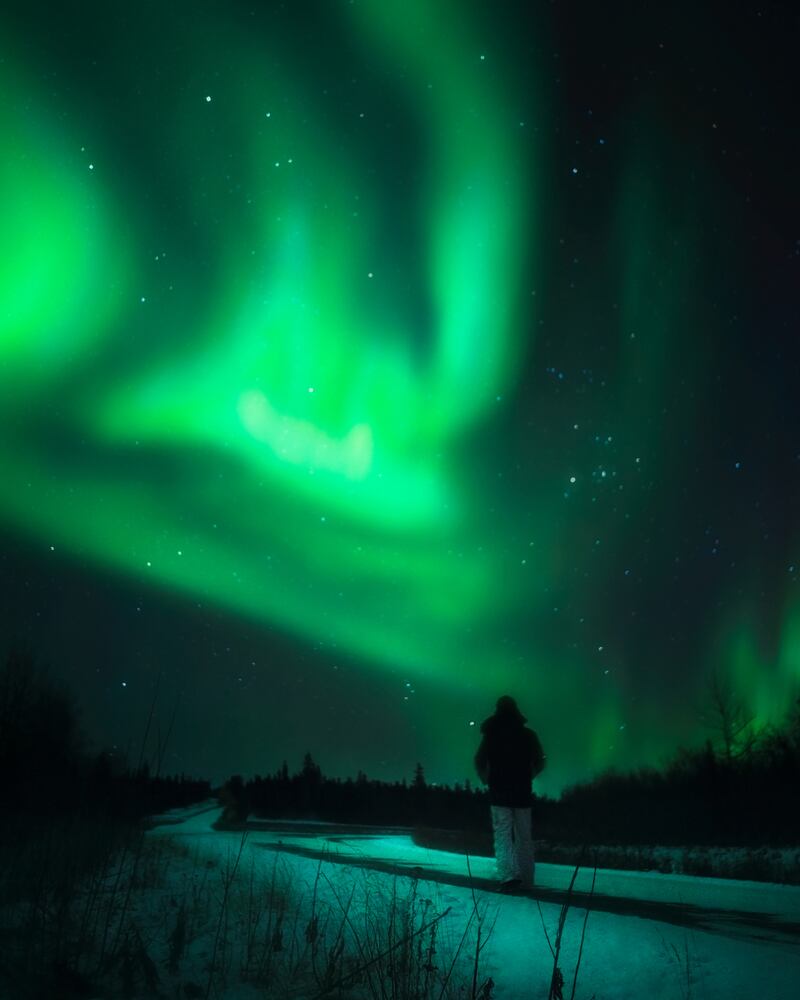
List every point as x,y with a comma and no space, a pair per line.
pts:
286,450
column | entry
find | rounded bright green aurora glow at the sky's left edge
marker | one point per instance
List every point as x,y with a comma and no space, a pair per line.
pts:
61,274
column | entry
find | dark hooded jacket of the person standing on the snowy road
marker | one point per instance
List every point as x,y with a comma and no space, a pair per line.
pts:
509,756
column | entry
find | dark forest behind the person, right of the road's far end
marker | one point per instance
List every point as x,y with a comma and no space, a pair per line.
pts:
743,789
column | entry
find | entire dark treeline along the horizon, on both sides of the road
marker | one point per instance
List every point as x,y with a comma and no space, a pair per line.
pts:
740,788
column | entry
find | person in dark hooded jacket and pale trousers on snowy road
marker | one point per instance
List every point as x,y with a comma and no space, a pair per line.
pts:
508,759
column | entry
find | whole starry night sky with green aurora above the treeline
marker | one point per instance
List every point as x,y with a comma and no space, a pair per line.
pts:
363,361
